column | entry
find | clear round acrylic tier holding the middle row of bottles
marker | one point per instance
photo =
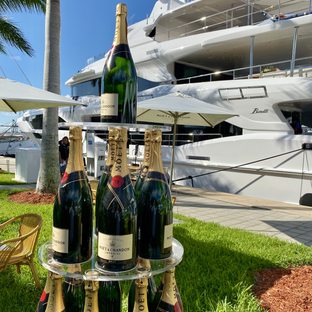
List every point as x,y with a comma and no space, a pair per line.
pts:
157,266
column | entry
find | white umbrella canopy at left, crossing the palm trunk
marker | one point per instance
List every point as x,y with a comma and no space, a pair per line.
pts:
16,96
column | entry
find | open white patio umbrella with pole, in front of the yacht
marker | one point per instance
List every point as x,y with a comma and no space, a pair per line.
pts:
180,109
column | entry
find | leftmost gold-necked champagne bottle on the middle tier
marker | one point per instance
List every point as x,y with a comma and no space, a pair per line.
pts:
73,211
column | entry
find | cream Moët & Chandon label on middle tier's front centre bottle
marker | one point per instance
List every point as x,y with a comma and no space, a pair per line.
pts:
115,247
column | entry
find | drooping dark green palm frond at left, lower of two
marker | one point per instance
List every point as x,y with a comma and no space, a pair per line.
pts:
11,34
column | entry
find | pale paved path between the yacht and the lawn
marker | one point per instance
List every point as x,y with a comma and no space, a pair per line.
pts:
285,221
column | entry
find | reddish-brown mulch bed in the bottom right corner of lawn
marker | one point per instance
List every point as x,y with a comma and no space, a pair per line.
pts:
285,290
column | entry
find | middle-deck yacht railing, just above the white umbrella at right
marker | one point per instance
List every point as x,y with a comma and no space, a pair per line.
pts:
303,68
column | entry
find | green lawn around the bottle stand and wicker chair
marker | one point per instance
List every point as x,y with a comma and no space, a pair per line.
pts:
216,274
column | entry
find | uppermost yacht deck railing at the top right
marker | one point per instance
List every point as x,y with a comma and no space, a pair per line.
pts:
250,13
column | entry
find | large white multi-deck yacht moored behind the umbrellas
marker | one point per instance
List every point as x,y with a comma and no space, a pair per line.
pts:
253,58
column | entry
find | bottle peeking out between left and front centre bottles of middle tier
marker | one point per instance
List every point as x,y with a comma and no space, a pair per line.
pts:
109,164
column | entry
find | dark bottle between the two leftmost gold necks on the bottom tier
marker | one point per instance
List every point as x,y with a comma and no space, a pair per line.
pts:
73,290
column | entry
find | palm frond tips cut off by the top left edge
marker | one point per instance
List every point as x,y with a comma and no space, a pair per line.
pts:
22,5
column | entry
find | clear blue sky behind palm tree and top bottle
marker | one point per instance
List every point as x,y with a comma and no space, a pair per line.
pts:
87,30
